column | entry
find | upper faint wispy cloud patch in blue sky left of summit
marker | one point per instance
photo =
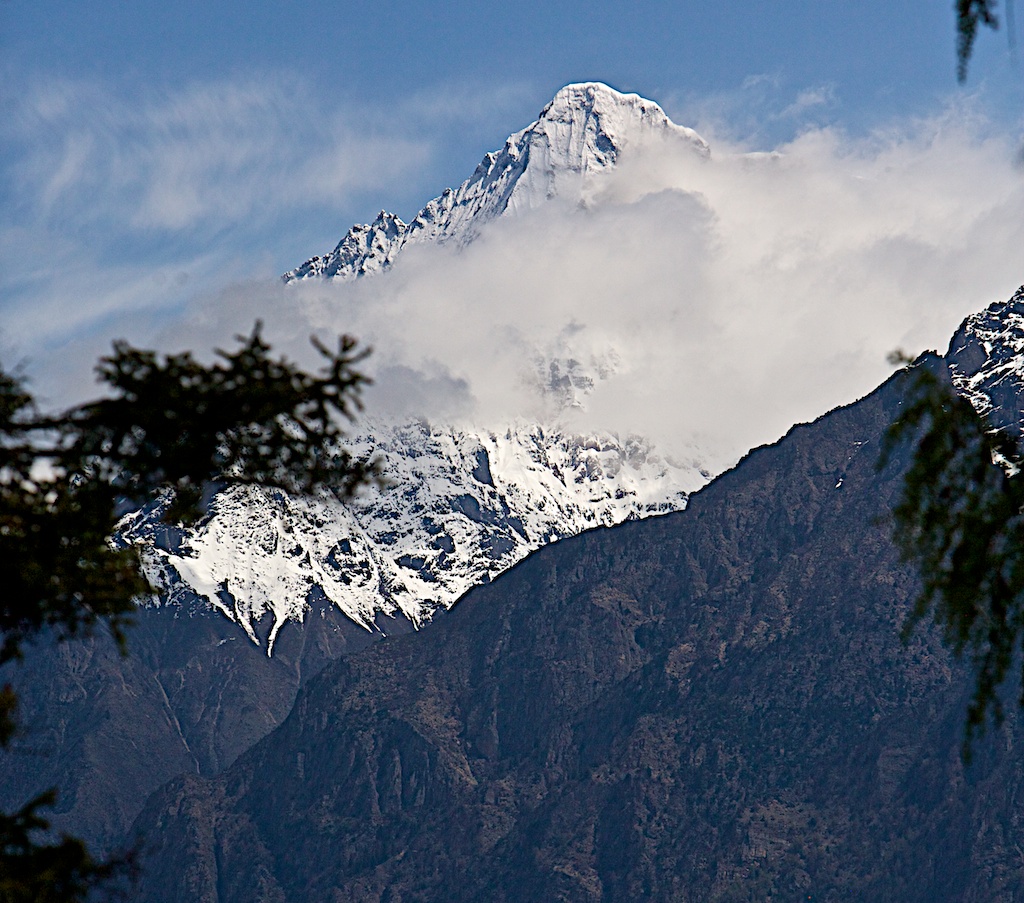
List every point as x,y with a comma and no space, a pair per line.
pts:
198,157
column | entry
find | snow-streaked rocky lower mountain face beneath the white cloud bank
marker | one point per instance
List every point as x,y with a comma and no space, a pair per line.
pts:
462,507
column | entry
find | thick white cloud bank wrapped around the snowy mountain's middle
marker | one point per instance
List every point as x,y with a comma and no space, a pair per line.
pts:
723,300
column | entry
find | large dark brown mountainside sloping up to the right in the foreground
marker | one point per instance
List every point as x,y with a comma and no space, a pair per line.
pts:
710,706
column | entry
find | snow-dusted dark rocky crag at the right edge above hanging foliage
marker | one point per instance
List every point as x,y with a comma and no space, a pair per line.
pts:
987,362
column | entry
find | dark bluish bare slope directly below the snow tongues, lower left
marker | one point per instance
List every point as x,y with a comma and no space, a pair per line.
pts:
192,695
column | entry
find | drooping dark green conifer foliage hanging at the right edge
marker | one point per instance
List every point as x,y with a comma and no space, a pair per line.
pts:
961,521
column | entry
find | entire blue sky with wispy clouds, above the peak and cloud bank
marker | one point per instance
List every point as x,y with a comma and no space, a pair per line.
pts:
155,155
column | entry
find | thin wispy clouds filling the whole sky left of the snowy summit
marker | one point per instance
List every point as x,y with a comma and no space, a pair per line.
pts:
119,205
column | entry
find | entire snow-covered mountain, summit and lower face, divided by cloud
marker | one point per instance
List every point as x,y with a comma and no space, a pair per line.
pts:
463,502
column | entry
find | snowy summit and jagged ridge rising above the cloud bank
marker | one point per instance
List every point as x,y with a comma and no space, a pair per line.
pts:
578,137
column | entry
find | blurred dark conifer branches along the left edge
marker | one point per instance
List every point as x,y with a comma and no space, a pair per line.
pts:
169,429
